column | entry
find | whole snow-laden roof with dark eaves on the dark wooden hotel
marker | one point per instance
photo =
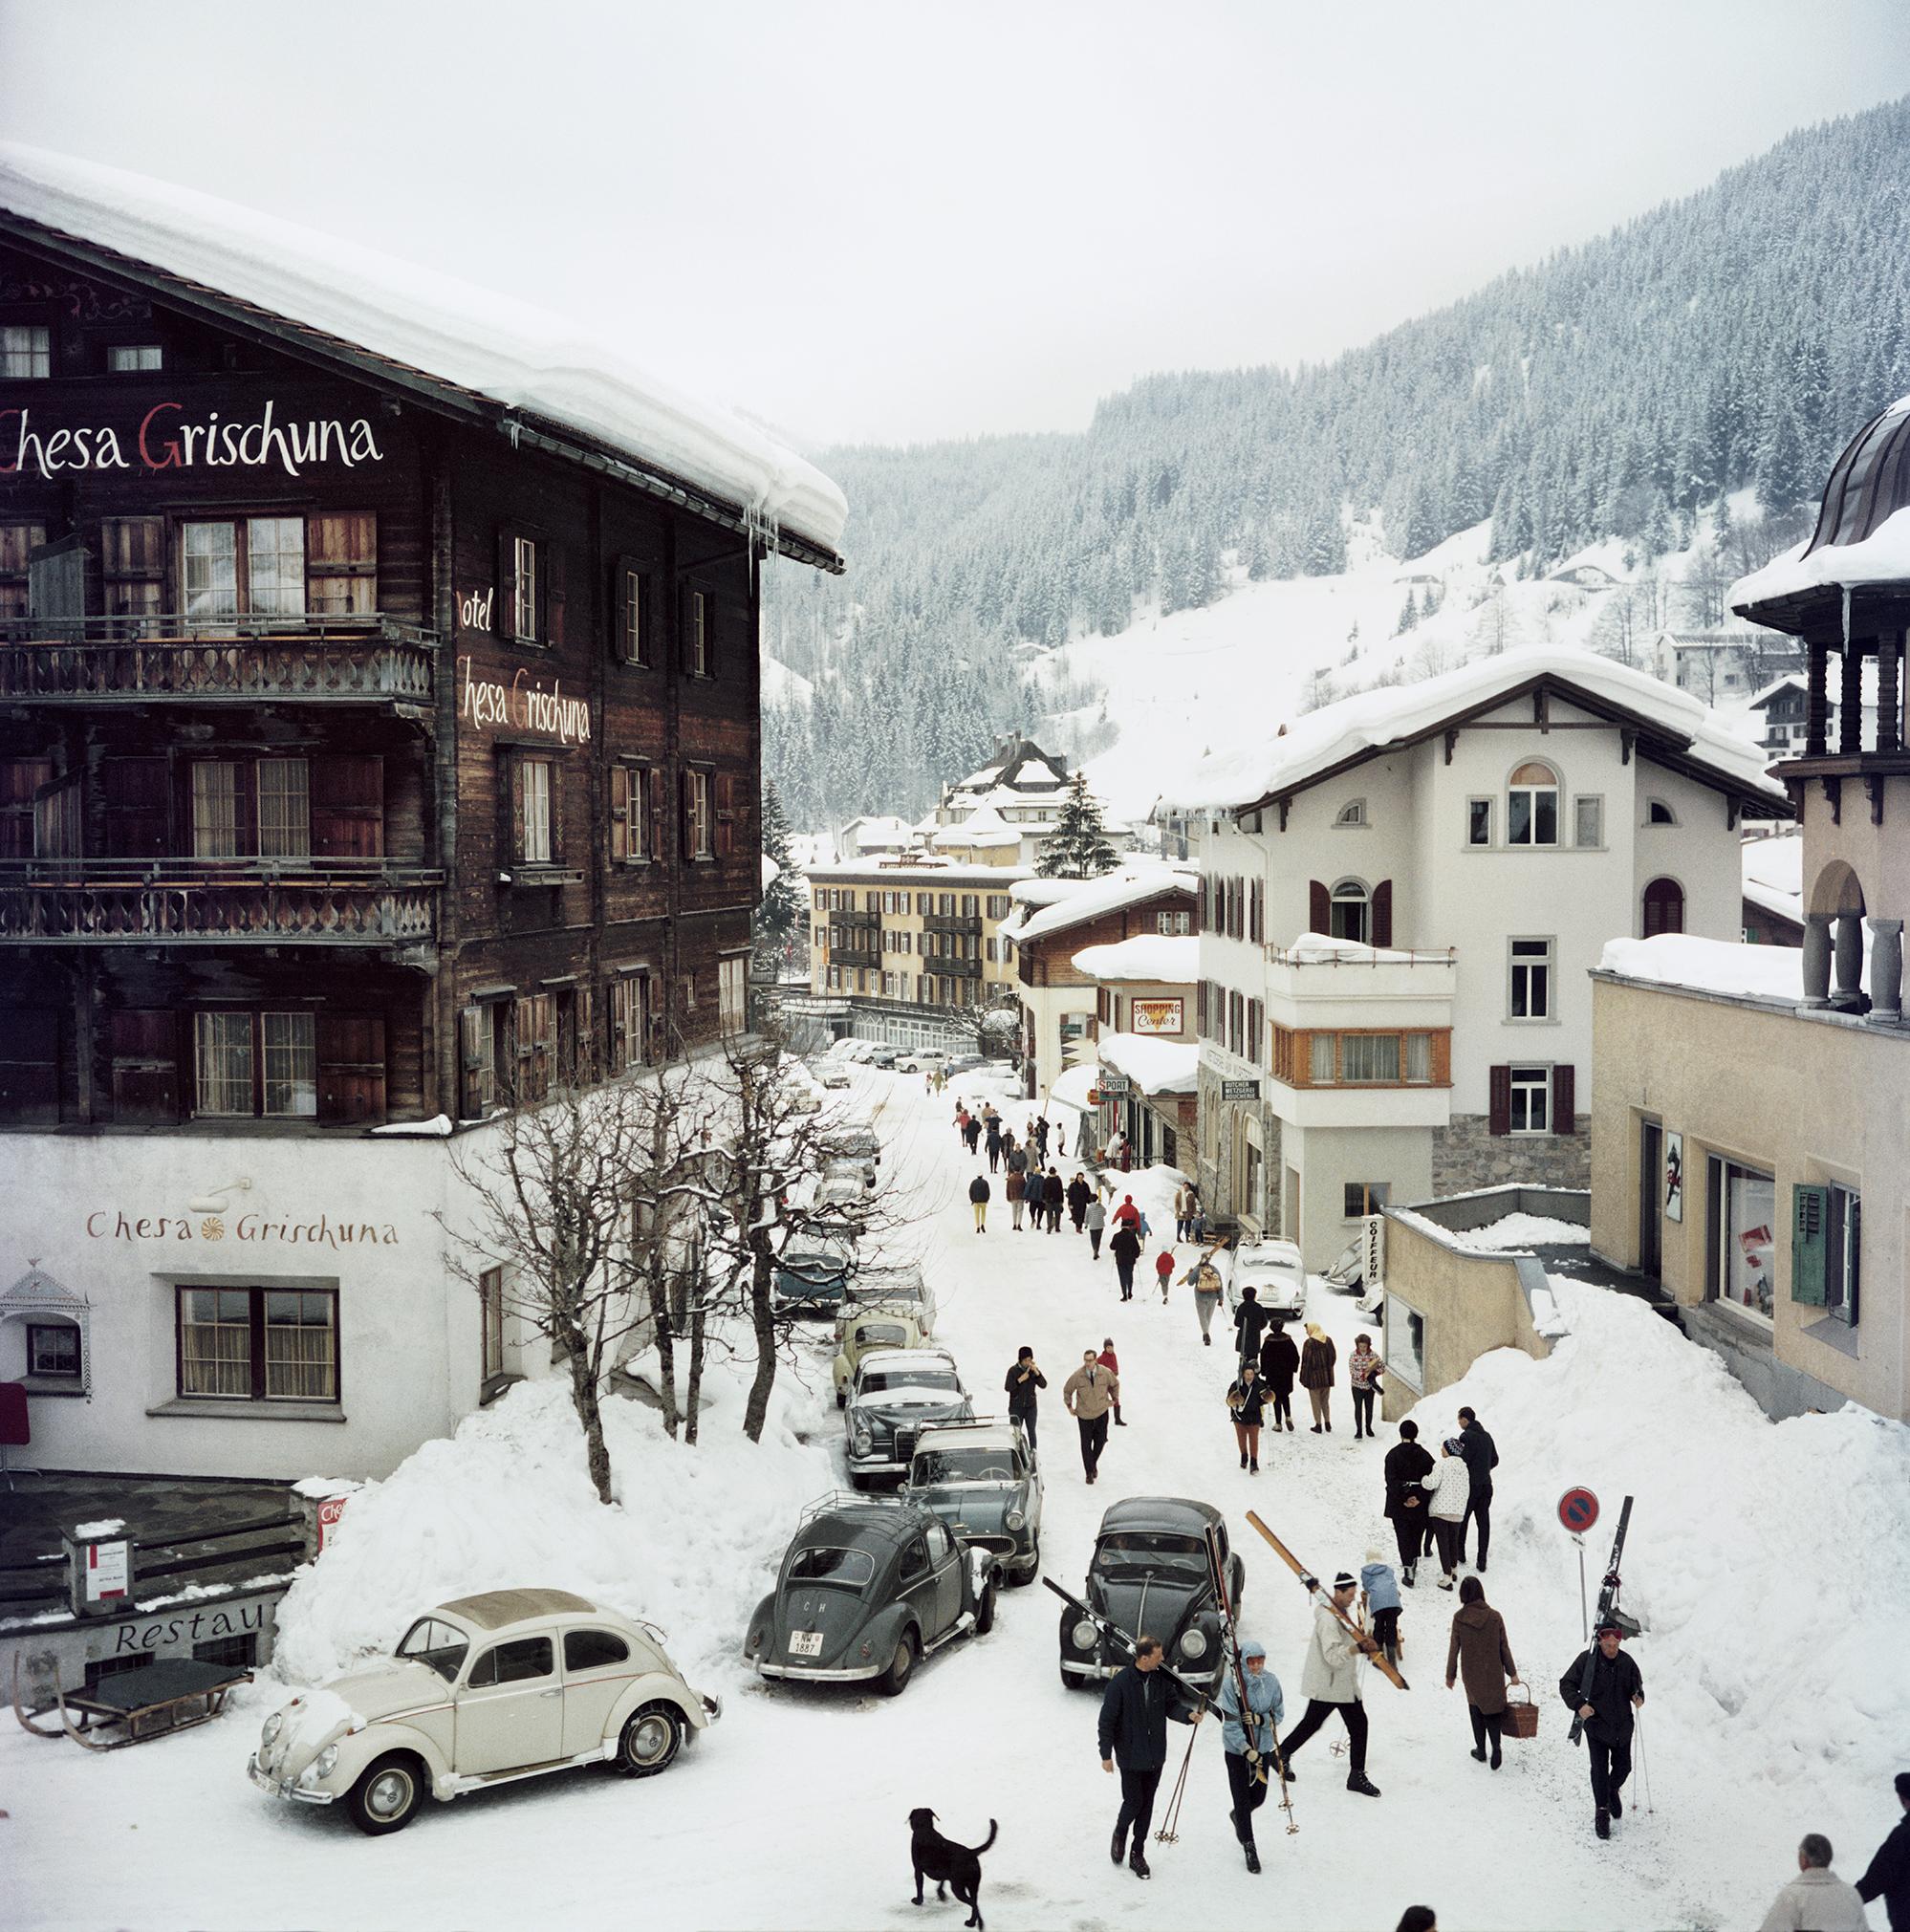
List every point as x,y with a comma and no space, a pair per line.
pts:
461,349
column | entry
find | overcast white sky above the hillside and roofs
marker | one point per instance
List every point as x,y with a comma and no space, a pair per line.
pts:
905,221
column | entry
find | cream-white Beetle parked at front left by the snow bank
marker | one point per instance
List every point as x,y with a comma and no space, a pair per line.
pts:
482,1691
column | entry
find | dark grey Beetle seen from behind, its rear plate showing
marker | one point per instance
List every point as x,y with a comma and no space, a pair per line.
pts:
866,1593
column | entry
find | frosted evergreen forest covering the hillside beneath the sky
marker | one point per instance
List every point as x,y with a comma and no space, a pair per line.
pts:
1735,339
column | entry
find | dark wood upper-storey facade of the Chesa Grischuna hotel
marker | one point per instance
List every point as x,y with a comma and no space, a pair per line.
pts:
343,727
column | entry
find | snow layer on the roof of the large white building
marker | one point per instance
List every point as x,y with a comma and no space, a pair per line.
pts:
1395,716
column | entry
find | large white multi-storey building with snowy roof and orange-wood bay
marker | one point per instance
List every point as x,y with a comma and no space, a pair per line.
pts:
1401,899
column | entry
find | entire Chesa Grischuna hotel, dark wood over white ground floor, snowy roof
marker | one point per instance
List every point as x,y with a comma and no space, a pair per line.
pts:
378,749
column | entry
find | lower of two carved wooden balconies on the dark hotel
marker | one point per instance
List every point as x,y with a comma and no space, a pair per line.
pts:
179,903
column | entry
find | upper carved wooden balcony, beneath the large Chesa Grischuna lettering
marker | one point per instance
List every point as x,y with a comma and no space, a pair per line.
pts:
225,662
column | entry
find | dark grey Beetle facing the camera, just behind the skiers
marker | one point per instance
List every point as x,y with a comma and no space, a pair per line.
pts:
1150,1574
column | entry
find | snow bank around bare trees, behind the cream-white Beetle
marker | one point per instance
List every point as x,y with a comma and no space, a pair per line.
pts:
507,1504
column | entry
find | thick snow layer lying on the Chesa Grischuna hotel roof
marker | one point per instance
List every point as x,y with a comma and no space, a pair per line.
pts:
490,345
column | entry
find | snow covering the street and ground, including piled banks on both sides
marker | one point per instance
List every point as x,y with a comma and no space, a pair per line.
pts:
1770,1566
